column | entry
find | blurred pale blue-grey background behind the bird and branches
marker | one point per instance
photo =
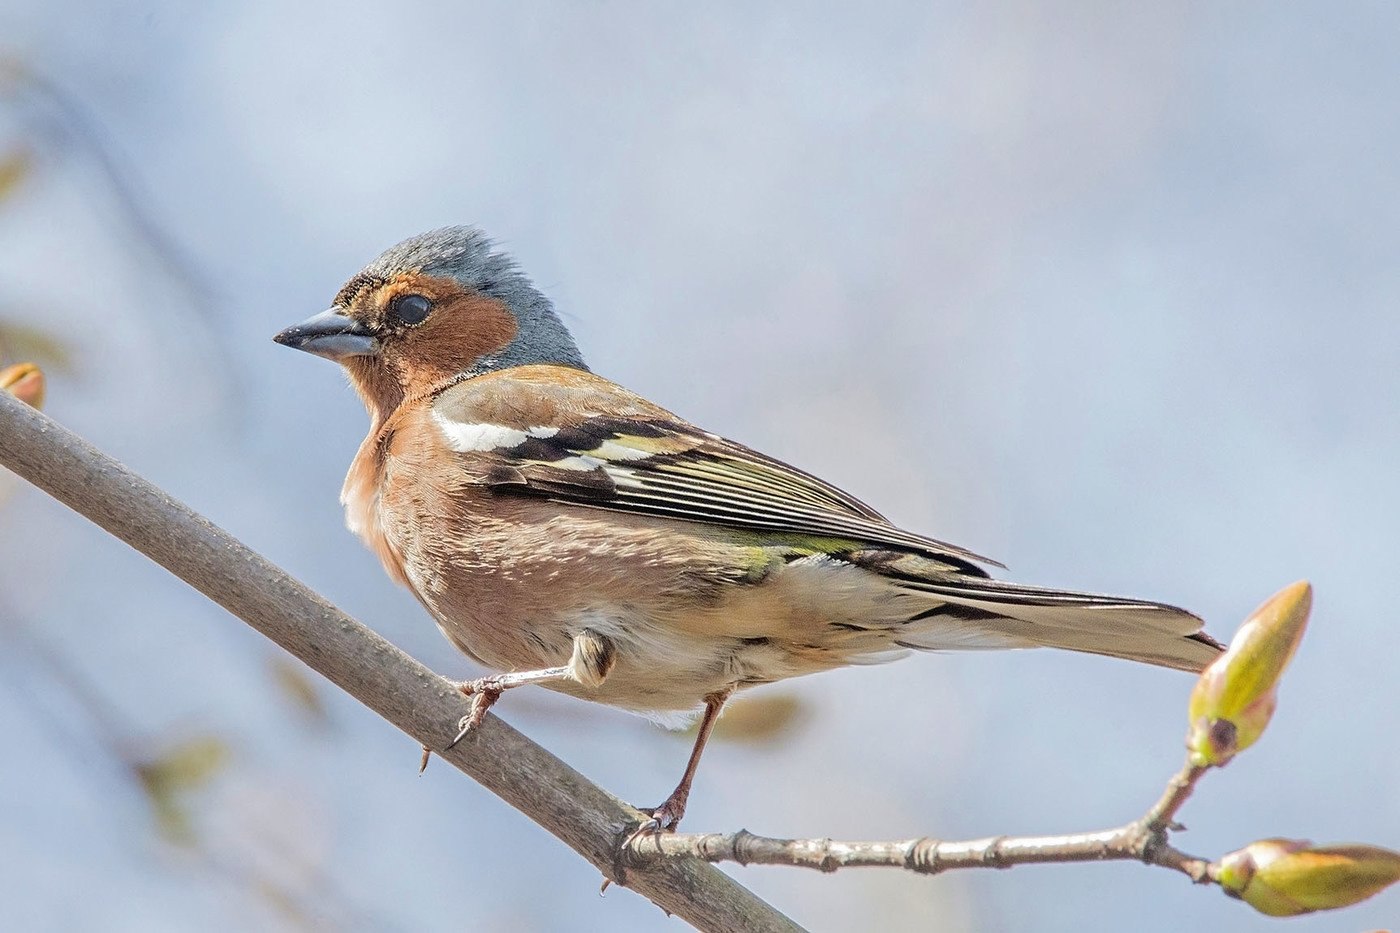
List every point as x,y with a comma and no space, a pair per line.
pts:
1108,292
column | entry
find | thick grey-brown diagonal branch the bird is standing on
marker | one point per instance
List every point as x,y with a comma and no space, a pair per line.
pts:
356,659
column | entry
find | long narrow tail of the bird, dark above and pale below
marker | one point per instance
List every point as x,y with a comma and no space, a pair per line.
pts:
983,613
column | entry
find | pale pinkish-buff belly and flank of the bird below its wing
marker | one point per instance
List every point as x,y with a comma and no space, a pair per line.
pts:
687,617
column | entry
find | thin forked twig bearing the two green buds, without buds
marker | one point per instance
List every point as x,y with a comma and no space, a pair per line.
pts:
1140,841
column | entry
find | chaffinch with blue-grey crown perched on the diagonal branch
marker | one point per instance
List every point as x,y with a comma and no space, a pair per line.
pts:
573,534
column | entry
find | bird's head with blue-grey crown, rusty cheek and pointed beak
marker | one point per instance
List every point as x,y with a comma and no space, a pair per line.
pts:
433,309
